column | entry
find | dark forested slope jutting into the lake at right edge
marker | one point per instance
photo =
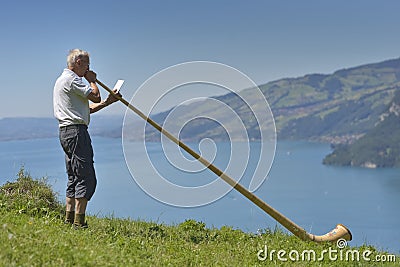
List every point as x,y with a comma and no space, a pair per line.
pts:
379,147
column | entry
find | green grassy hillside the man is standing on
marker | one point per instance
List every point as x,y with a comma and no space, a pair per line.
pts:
32,233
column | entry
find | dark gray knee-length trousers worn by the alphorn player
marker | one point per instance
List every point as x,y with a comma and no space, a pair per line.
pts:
77,145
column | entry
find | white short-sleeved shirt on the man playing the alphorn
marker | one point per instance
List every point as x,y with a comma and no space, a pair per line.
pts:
70,102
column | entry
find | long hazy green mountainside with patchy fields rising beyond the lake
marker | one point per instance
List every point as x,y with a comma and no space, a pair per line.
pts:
338,108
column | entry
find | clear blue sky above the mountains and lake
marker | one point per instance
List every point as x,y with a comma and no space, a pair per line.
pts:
267,40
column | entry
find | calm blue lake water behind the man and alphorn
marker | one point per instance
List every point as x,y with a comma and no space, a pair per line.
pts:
315,196
